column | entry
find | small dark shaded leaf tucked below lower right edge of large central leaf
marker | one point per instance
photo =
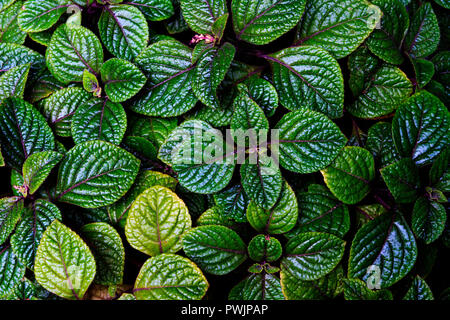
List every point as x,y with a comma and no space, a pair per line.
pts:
232,202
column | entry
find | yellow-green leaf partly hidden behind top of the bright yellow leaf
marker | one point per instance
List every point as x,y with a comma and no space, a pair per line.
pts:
145,179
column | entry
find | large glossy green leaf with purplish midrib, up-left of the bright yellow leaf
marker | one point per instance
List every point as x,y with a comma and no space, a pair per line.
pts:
95,174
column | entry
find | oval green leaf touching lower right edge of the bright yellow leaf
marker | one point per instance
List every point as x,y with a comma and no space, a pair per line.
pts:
216,249
